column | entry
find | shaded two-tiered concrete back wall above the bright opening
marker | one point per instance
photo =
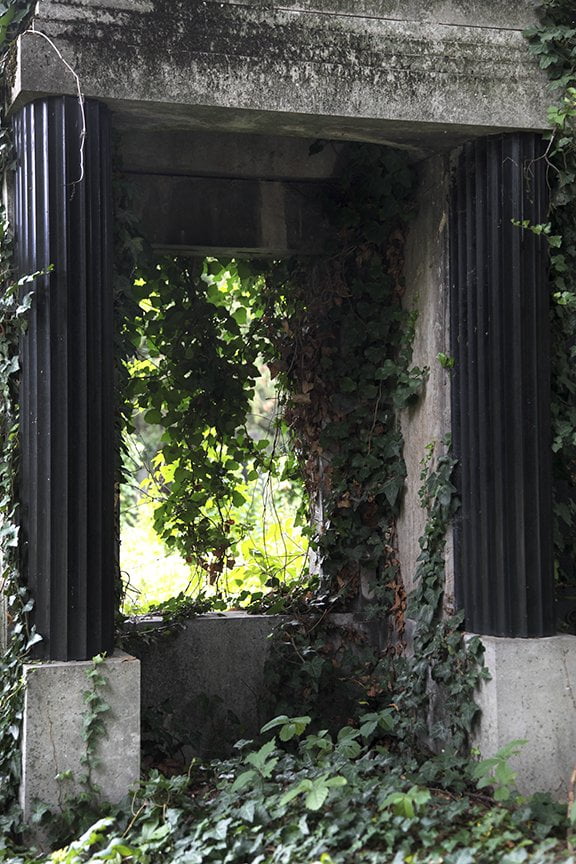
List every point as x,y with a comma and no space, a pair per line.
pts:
225,193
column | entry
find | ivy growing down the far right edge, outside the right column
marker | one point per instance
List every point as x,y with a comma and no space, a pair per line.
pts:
554,44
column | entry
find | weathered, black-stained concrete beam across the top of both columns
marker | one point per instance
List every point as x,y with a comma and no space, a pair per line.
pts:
374,69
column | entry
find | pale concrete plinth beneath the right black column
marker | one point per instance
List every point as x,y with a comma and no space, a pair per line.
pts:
531,695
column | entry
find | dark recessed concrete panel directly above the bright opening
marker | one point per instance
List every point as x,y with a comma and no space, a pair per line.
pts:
208,215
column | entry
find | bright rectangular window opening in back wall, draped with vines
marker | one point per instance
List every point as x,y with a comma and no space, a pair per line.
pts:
212,506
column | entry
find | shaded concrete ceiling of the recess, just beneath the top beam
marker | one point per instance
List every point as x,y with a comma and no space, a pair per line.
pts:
146,129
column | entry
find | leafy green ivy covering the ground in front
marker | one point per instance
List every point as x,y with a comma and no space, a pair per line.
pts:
299,803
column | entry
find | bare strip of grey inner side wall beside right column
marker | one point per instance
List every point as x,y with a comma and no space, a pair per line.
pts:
427,293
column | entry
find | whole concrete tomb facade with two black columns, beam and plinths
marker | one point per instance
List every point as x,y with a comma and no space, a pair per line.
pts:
214,106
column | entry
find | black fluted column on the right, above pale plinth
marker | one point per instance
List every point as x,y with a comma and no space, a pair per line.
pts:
501,388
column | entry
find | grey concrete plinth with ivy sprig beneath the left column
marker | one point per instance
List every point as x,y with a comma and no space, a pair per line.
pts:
54,712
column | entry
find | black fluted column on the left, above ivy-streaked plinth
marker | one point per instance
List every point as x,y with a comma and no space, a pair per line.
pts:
62,218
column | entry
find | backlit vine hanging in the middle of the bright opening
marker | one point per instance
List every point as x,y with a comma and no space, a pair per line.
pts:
194,375
